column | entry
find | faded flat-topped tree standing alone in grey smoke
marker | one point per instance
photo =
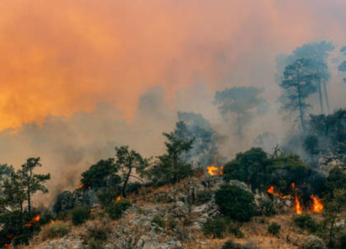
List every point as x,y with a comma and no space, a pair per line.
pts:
243,102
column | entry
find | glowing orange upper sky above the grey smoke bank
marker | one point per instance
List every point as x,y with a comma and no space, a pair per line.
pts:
58,57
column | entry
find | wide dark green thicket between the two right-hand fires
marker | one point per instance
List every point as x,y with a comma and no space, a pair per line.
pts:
255,167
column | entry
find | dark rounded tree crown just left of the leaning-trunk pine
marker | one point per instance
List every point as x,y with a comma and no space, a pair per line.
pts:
101,174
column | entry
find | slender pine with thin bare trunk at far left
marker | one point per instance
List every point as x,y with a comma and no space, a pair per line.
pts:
32,182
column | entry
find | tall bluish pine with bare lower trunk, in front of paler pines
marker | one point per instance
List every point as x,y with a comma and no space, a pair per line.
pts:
297,86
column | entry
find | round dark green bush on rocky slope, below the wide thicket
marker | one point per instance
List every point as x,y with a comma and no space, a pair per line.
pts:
235,202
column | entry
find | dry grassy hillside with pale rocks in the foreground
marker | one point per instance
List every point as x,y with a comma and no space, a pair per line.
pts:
172,217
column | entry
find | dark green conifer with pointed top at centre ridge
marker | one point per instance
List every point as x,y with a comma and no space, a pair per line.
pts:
172,167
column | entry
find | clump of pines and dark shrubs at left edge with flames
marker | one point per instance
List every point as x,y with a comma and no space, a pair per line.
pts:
17,218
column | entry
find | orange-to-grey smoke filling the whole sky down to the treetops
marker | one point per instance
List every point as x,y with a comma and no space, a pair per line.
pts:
144,61
